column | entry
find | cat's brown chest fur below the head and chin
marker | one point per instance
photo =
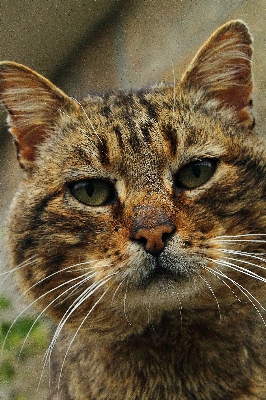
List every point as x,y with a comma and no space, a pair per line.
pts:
210,362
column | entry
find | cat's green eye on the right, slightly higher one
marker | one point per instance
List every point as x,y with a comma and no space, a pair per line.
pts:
195,174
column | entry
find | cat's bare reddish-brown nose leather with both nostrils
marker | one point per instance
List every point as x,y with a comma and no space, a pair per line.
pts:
153,238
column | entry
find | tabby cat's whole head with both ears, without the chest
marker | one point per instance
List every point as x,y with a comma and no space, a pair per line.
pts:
139,203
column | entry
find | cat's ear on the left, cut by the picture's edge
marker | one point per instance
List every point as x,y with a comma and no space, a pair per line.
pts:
33,105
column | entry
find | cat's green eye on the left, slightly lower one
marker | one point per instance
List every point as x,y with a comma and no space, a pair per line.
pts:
93,192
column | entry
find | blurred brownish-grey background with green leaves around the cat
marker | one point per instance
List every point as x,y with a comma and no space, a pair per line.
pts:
93,46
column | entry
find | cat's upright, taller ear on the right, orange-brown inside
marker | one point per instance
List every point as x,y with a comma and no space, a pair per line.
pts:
221,71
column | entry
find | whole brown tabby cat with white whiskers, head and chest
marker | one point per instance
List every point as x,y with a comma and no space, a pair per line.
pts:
140,228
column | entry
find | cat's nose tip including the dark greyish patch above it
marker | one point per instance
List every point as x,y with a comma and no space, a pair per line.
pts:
151,227
